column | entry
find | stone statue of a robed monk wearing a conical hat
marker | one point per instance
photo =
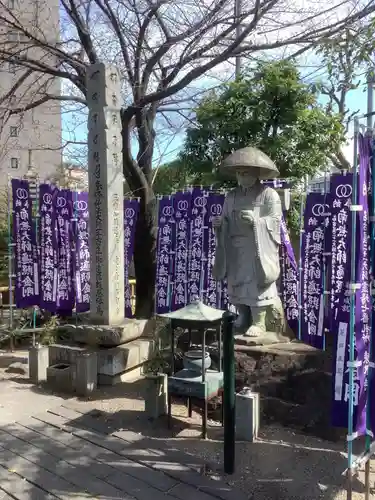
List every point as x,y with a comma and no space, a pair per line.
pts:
248,239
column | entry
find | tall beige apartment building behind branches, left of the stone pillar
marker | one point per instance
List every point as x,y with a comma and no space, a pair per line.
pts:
30,141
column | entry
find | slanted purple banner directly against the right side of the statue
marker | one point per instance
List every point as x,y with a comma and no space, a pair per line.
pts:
288,279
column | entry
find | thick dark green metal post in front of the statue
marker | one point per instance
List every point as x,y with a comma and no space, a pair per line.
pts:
229,394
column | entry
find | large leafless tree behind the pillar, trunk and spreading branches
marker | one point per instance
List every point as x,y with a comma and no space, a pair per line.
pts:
163,48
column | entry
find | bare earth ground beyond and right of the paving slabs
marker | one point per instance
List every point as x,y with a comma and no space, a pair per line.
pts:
281,465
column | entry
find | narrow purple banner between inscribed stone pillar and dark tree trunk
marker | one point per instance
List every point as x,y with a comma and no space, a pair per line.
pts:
131,210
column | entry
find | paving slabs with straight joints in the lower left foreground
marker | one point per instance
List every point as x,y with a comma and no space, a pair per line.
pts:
68,455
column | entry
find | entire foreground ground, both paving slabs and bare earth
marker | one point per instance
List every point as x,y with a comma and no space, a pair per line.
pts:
104,446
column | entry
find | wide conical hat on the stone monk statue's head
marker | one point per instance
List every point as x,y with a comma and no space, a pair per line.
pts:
249,158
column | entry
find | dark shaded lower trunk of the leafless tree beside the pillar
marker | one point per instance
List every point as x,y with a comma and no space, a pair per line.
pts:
145,256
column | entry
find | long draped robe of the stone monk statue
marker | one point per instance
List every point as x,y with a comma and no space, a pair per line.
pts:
247,255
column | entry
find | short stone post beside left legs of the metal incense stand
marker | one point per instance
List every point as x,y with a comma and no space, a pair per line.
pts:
156,396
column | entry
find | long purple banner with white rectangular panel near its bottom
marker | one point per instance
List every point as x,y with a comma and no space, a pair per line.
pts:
341,195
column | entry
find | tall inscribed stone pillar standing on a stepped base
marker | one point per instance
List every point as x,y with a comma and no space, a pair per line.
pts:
106,215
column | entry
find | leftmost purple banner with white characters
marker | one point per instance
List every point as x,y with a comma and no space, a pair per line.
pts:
26,257
